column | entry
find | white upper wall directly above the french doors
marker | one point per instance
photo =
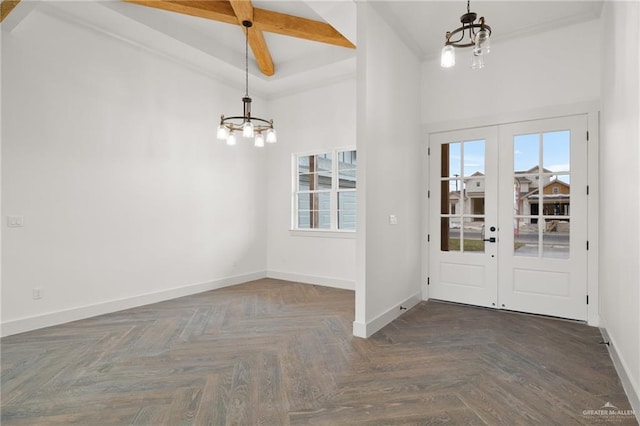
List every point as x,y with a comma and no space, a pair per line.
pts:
553,68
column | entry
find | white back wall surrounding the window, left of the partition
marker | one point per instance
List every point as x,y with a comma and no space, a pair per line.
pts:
319,119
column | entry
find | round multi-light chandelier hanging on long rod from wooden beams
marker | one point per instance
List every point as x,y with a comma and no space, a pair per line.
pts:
251,127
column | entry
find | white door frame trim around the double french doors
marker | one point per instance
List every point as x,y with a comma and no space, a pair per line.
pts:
591,110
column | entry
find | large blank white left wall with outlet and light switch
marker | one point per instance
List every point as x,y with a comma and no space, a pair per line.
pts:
109,154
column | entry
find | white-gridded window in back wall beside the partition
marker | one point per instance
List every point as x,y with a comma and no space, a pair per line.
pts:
325,191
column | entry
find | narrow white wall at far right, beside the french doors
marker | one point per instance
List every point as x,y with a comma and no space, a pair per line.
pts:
620,192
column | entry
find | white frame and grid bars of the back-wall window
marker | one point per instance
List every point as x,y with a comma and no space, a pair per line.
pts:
333,229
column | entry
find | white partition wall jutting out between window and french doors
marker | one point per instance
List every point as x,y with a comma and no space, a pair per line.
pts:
390,183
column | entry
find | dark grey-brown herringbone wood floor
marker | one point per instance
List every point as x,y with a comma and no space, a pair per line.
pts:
271,352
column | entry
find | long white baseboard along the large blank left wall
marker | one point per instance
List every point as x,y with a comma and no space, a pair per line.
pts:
54,318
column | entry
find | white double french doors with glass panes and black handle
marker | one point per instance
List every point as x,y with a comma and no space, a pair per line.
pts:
508,225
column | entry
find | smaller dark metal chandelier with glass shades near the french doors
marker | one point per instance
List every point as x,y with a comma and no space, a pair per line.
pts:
478,36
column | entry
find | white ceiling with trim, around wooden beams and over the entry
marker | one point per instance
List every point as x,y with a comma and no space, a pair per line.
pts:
217,48
